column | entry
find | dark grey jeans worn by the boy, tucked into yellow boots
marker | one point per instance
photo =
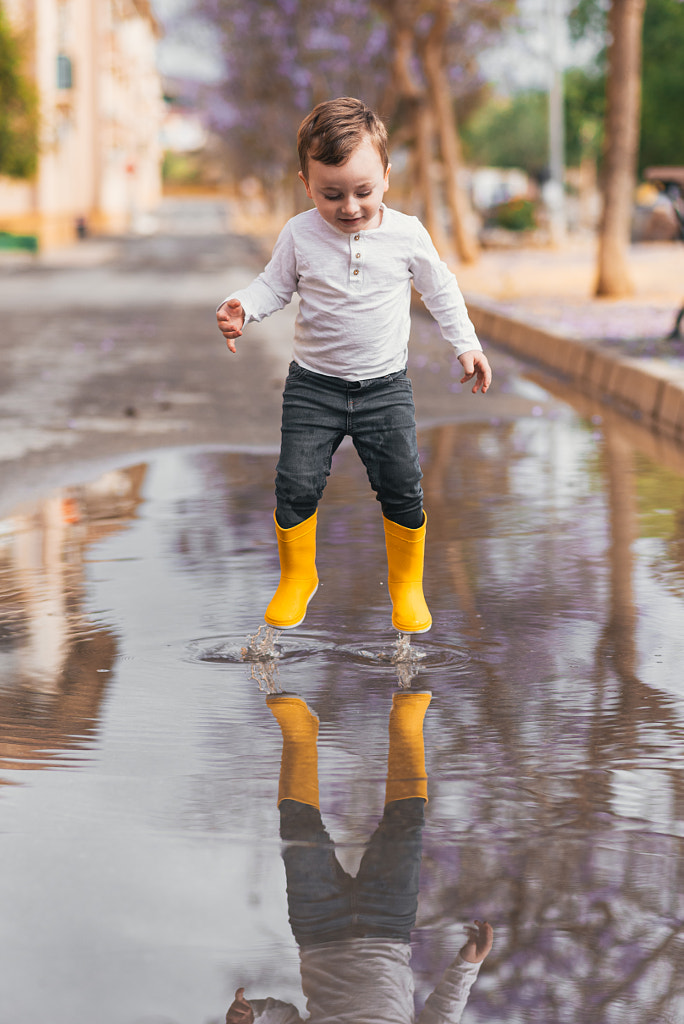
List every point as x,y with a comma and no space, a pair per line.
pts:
380,418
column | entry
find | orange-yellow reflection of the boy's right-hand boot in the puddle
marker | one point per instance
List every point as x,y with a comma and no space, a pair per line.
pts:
406,764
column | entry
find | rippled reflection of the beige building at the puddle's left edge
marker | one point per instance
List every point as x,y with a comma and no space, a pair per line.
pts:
56,663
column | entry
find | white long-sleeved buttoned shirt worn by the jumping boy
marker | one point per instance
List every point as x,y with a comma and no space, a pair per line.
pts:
355,291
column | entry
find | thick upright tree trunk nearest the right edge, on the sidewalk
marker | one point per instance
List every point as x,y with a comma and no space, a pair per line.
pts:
622,145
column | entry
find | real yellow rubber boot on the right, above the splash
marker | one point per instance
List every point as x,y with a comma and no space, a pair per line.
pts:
406,553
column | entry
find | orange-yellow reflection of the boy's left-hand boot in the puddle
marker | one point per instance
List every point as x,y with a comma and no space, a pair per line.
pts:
300,763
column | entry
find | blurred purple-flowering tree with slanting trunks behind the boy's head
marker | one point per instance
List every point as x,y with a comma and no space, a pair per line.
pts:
408,59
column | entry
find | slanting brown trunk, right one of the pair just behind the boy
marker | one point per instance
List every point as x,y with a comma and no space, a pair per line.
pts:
452,155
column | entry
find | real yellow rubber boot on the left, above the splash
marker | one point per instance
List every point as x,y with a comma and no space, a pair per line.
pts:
300,580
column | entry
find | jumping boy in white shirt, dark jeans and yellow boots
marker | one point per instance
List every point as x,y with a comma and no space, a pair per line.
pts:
353,262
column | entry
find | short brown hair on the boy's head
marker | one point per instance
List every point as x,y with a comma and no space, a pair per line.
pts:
334,130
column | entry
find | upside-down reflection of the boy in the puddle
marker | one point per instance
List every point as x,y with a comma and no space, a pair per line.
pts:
355,933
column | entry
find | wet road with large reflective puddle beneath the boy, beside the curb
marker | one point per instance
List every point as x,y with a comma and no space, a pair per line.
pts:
142,877
